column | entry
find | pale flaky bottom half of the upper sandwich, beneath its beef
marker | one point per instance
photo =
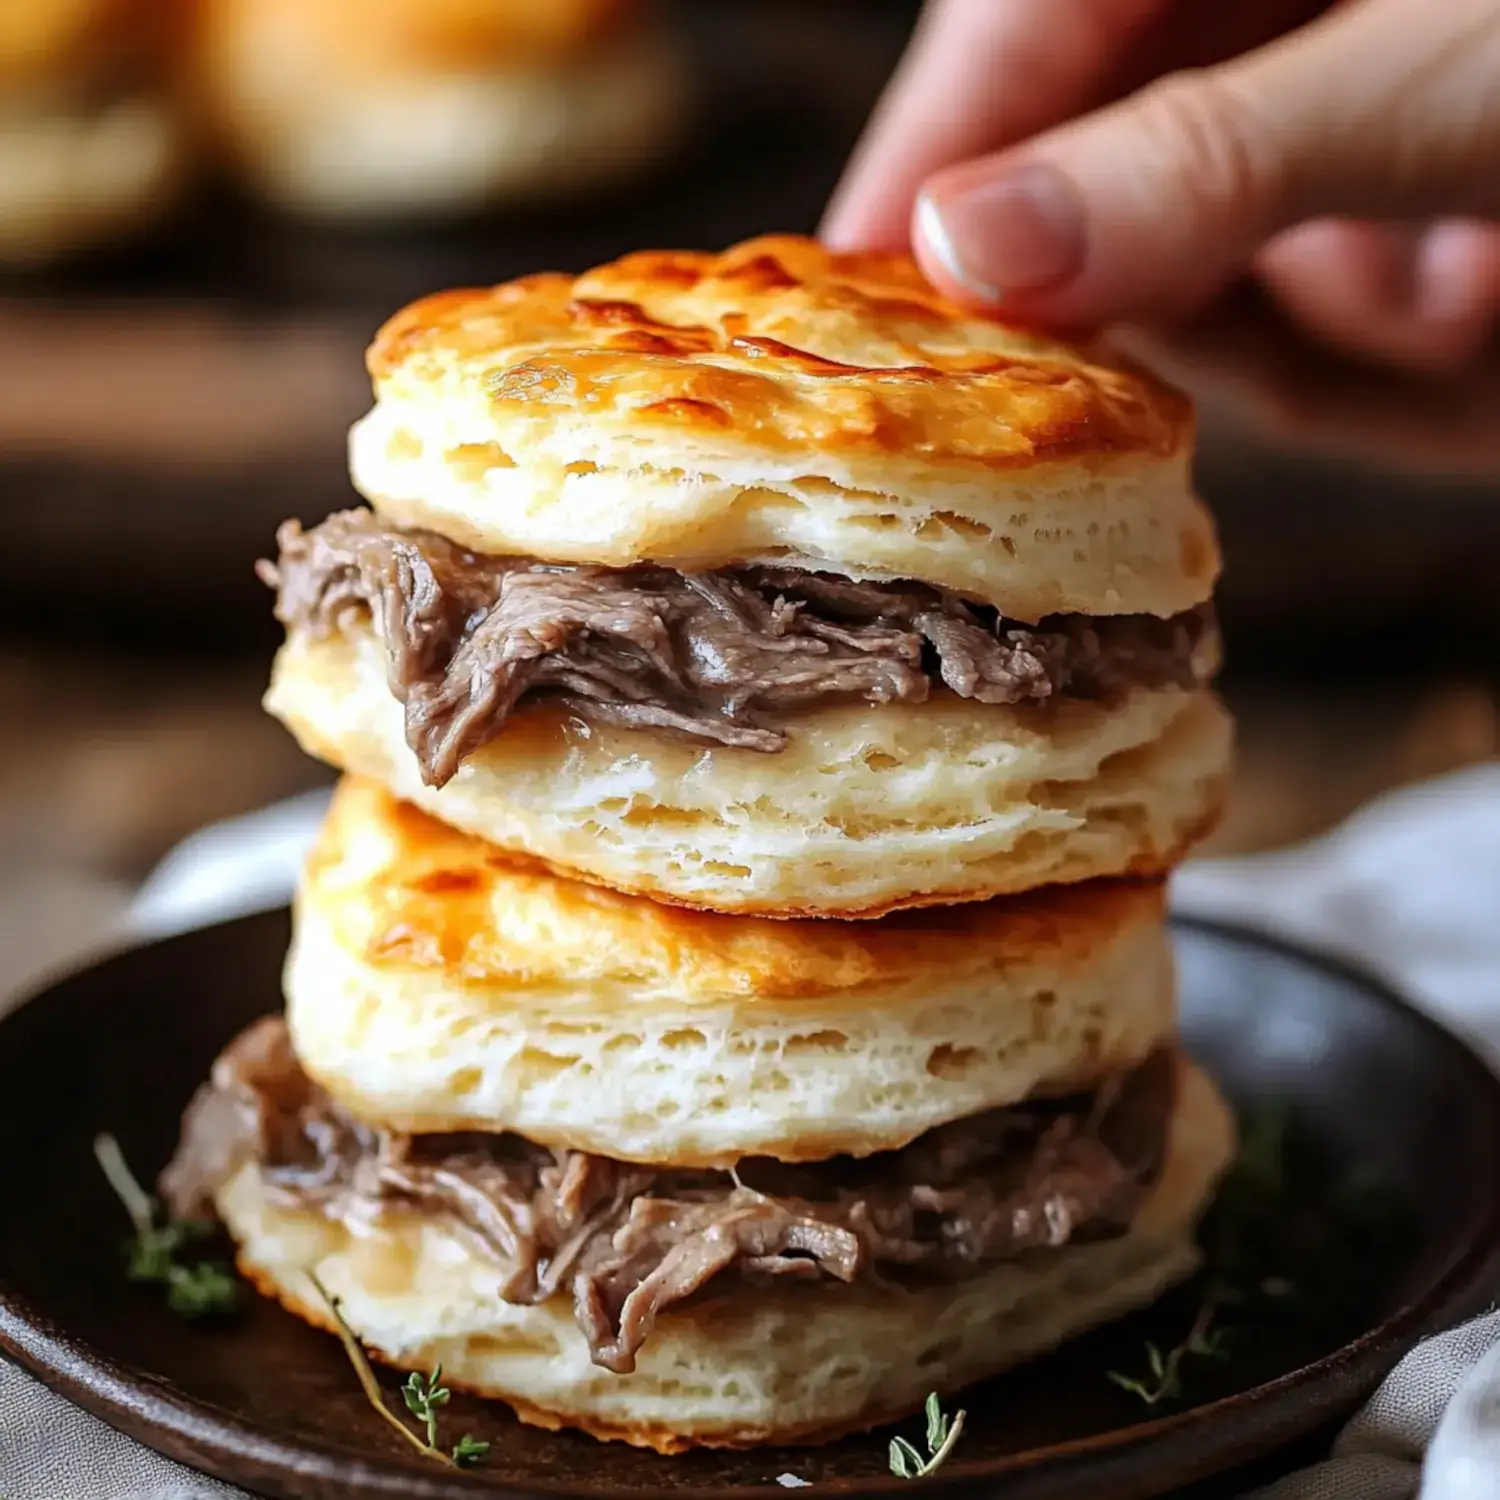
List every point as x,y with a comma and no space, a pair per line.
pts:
869,808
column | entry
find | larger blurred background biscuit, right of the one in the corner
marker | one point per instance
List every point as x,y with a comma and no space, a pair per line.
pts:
382,109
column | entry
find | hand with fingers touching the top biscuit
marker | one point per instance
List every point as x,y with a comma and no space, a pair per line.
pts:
1091,161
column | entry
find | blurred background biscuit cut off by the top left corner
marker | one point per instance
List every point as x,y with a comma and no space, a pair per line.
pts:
92,143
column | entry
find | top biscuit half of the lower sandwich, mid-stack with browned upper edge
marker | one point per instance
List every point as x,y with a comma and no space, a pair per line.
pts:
440,985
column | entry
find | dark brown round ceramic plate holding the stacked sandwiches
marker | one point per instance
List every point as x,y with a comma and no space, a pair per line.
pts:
1379,1219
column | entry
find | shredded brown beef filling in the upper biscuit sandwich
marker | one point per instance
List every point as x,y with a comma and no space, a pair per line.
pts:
719,658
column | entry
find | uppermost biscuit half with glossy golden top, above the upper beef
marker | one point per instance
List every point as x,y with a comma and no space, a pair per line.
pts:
779,403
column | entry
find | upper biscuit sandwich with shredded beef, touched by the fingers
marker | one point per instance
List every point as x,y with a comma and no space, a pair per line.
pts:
766,583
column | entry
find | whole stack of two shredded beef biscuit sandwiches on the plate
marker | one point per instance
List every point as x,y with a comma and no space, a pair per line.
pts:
730,997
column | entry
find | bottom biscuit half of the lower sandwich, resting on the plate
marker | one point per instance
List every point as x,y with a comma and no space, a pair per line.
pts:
773,1364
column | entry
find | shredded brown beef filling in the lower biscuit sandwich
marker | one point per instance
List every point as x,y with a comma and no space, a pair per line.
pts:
629,1241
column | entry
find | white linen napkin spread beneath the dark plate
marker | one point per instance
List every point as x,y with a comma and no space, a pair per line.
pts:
1409,887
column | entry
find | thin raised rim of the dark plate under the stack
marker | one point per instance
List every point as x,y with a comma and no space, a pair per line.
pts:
217,1442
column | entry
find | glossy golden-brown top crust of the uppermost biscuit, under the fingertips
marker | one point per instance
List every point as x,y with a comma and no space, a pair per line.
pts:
779,344
